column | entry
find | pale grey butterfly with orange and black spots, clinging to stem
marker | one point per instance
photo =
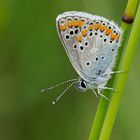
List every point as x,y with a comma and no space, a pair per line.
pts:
91,43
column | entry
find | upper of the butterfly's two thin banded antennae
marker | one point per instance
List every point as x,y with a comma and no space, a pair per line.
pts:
57,85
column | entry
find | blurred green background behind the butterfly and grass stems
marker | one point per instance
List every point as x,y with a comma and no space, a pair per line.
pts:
32,57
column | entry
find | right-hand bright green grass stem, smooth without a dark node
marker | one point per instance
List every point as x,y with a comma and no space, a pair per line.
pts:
121,79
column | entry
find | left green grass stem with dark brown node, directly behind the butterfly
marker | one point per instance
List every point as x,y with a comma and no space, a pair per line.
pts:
103,104
